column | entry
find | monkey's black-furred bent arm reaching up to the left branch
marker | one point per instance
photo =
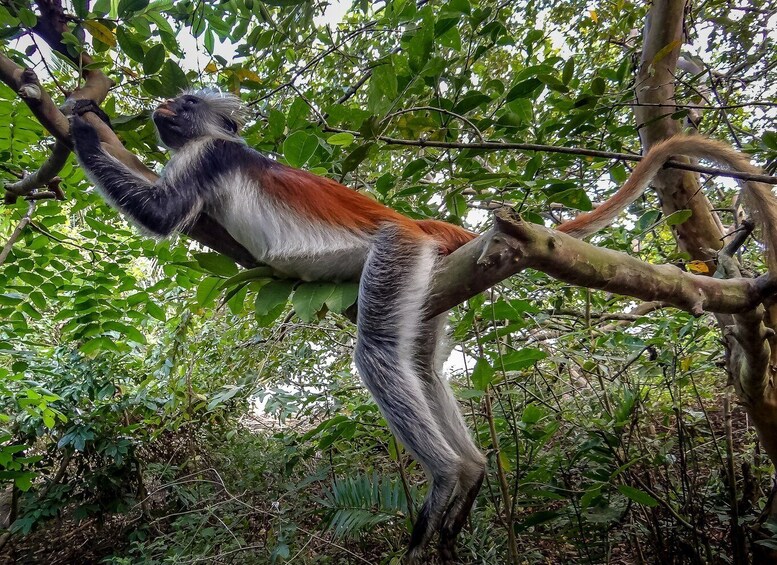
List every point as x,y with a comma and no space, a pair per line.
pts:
161,207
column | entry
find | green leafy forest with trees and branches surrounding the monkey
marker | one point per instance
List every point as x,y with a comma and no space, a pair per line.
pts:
126,362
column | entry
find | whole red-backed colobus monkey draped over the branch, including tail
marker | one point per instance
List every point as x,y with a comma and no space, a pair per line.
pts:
314,228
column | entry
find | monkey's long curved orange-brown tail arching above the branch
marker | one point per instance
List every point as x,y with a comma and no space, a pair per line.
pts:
760,200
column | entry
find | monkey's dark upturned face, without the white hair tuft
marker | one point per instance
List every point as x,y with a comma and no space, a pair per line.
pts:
188,117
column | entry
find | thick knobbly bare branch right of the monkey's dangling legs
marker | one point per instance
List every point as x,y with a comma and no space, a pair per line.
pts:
514,245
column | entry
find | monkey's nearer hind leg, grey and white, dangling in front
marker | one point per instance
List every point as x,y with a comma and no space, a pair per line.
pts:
392,294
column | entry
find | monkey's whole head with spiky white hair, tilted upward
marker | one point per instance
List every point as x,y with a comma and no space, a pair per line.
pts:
194,115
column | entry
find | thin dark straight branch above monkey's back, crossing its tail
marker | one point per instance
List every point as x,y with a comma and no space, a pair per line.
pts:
503,146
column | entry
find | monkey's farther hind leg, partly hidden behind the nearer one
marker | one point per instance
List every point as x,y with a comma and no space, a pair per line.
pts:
432,352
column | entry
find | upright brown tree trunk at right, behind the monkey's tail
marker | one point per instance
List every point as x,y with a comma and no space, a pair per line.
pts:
749,341
